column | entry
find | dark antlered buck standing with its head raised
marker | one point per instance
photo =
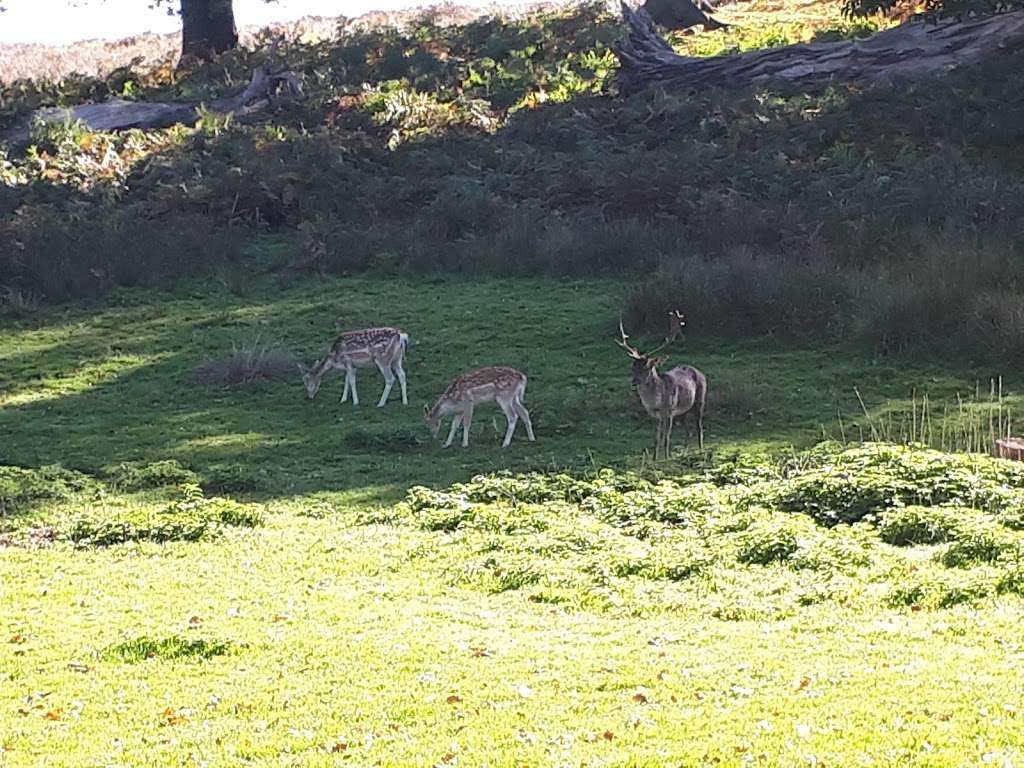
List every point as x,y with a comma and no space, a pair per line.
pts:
666,396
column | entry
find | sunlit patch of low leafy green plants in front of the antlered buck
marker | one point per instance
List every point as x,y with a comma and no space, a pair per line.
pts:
758,537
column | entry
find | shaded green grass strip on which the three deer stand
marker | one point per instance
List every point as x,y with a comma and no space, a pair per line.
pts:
94,388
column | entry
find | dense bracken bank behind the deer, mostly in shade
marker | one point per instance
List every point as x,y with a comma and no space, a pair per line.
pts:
500,148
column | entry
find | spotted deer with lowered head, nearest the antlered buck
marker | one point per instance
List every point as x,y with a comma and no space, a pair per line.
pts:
505,387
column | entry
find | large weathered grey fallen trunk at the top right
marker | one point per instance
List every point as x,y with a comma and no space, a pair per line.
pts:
911,52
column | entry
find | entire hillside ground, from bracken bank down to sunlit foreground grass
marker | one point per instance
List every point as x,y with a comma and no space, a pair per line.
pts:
203,564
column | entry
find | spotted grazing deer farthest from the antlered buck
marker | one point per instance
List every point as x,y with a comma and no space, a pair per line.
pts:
385,348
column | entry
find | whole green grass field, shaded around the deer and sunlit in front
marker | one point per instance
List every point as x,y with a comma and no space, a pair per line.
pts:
347,630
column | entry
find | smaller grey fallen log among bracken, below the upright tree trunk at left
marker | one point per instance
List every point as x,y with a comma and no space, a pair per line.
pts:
119,115
